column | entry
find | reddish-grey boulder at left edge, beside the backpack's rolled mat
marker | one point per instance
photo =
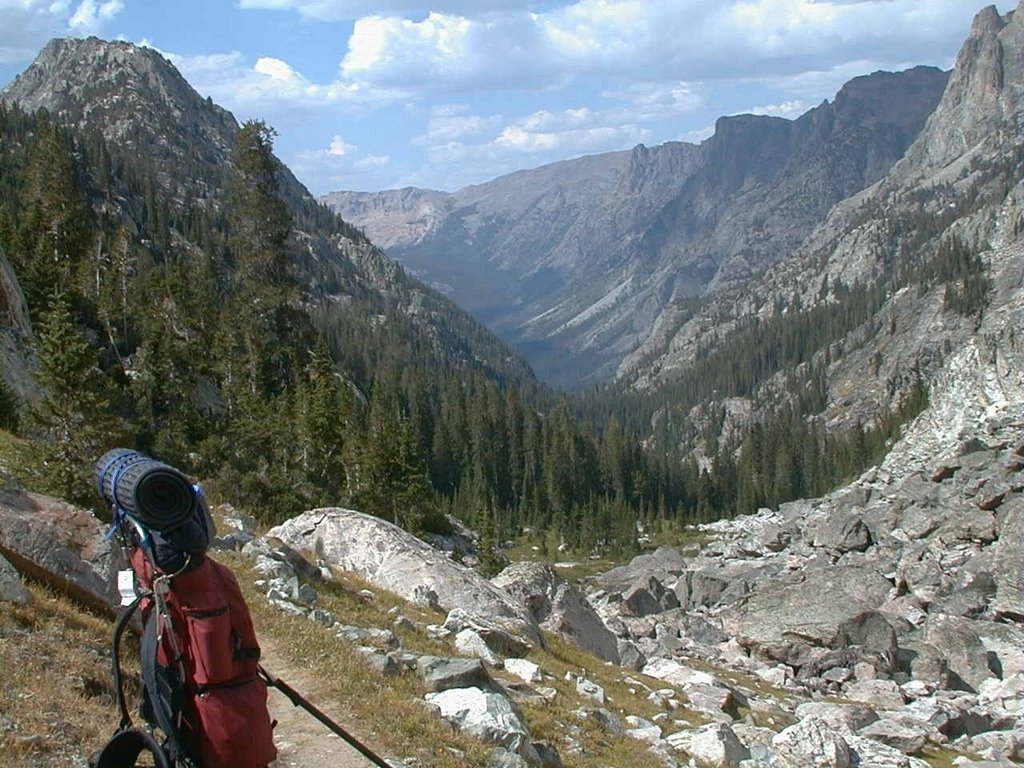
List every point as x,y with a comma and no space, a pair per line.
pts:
62,545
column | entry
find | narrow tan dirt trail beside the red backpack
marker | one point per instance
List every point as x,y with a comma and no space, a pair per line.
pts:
304,742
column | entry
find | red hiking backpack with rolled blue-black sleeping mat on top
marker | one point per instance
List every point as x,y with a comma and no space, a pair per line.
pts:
202,686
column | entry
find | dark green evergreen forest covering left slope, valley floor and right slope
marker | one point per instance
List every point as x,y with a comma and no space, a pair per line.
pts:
216,318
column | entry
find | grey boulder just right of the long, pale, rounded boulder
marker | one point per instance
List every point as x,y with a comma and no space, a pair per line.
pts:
559,607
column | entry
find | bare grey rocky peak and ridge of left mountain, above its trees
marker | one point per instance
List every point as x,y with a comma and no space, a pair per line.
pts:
137,99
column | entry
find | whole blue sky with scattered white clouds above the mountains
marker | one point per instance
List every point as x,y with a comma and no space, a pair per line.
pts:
380,95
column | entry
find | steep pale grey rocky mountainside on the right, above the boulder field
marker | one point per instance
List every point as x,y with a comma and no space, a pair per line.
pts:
959,184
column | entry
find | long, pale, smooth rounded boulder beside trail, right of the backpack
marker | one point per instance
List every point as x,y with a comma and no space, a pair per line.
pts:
388,557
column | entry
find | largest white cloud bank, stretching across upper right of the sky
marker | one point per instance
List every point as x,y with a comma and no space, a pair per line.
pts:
670,40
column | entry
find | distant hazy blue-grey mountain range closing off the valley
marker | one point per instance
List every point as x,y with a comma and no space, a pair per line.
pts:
576,263
